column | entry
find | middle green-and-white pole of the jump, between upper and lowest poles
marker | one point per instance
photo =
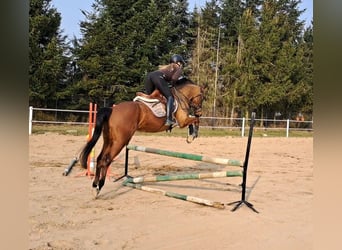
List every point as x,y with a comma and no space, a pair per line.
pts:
184,176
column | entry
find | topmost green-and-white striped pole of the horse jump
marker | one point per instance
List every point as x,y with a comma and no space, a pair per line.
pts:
193,157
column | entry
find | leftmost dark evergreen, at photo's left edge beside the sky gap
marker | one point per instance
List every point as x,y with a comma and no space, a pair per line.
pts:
47,54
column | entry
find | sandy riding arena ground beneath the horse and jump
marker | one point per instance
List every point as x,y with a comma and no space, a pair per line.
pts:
63,213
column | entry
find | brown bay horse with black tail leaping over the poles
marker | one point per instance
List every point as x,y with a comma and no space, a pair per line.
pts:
118,124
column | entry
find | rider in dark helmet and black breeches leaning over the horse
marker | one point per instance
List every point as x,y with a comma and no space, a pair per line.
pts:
159,79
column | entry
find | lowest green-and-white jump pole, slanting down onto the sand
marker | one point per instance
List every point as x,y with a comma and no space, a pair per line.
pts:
197,200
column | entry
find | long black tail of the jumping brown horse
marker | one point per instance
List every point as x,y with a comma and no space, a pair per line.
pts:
102,117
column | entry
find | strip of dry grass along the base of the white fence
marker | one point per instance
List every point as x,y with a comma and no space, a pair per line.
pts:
203,132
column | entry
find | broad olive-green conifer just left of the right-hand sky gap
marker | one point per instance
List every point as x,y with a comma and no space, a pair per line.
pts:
278,67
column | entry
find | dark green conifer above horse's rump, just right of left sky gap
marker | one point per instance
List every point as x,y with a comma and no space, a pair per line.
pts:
105,54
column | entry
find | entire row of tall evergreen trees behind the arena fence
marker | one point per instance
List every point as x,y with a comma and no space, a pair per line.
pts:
248,55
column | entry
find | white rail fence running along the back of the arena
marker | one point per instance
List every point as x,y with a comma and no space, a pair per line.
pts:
80,117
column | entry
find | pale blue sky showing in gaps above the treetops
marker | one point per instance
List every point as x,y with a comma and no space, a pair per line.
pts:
72,16
